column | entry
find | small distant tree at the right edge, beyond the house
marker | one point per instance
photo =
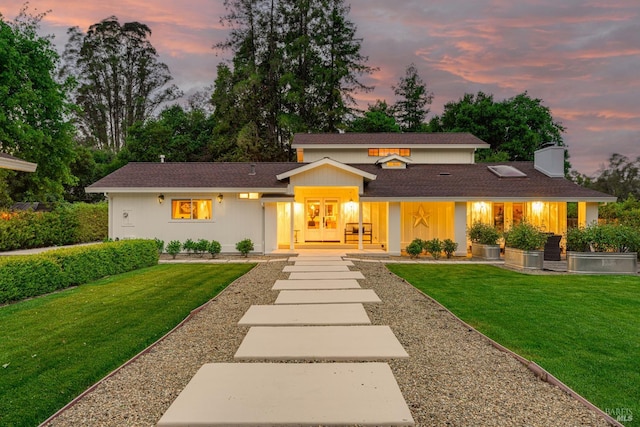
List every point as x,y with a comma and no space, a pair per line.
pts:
621,178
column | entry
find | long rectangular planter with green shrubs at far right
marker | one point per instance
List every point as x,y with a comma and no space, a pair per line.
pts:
603,249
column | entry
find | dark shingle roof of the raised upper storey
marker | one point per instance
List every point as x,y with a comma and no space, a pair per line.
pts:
377,140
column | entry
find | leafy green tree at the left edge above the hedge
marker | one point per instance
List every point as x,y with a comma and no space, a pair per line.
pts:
33,111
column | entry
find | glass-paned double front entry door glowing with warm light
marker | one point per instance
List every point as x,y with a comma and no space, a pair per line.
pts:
322,219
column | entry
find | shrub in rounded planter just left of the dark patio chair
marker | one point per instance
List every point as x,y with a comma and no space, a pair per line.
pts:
523,246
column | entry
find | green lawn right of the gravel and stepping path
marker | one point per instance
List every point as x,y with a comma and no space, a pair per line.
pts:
585,330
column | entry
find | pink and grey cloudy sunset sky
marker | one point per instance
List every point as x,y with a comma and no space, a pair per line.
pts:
581,57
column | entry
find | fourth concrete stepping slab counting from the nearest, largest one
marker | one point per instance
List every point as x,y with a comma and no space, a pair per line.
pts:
327,296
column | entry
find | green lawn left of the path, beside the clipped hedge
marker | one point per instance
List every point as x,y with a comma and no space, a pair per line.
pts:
54,347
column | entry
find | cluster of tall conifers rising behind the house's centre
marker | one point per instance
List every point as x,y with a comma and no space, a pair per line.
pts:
295,69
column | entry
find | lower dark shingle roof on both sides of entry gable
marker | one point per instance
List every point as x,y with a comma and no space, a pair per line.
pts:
435,181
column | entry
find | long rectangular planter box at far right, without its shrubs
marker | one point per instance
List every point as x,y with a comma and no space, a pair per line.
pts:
602,262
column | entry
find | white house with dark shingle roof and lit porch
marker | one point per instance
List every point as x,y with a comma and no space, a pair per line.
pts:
346,190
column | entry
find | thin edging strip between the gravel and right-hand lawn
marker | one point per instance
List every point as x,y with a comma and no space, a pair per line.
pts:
536,369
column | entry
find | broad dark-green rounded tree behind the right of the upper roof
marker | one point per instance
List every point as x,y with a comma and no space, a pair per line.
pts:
516,126
